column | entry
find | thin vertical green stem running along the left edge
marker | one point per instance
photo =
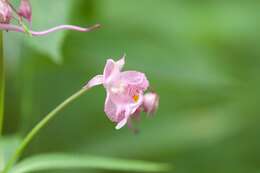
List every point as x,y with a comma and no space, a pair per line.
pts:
2,82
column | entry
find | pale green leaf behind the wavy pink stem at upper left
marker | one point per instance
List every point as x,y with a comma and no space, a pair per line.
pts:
45,15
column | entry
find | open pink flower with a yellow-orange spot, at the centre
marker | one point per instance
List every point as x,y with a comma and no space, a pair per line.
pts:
124,91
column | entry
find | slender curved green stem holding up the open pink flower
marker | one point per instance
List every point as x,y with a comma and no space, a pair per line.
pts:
38,127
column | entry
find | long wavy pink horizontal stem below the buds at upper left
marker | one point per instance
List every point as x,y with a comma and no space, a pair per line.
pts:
15,28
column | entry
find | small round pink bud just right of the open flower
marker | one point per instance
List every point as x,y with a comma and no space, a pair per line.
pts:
150,102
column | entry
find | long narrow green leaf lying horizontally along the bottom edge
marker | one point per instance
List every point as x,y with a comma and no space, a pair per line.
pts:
64,161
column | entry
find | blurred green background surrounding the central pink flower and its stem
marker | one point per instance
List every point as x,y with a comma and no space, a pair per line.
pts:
202,57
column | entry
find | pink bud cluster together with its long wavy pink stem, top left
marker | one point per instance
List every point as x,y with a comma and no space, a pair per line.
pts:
7,12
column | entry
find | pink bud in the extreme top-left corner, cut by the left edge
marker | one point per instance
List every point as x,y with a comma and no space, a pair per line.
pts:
5,12
